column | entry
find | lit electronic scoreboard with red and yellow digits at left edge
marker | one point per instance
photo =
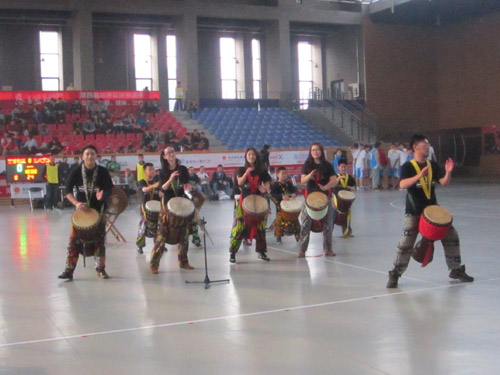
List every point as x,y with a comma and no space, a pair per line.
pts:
26,169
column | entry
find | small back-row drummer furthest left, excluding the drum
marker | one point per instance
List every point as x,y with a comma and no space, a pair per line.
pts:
149,187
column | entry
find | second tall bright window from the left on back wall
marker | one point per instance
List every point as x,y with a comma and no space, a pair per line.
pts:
143,62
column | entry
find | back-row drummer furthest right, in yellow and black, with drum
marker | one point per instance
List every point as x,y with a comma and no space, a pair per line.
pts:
347,184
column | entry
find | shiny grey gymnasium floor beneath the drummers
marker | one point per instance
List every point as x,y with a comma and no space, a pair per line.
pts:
288,316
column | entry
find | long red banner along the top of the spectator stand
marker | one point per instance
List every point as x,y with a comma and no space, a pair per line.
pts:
80,95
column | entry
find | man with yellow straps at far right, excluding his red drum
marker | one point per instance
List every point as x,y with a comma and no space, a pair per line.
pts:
419,177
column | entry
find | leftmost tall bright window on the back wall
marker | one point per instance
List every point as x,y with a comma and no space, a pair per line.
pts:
50,60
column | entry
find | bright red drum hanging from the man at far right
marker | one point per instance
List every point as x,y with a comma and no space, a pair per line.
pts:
434,224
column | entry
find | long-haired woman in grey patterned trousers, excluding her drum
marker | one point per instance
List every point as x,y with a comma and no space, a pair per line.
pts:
319,175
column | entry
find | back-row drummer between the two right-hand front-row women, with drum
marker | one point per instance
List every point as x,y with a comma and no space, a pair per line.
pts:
288,208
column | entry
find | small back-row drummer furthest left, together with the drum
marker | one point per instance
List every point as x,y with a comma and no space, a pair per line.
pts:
149,215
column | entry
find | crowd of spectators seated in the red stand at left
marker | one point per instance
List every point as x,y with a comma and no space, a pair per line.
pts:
20,128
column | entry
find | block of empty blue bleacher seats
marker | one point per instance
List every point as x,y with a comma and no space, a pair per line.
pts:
240,128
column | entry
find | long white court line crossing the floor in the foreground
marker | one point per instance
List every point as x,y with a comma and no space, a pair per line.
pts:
257,313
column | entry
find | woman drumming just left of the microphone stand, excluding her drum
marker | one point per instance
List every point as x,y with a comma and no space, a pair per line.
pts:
174,179
